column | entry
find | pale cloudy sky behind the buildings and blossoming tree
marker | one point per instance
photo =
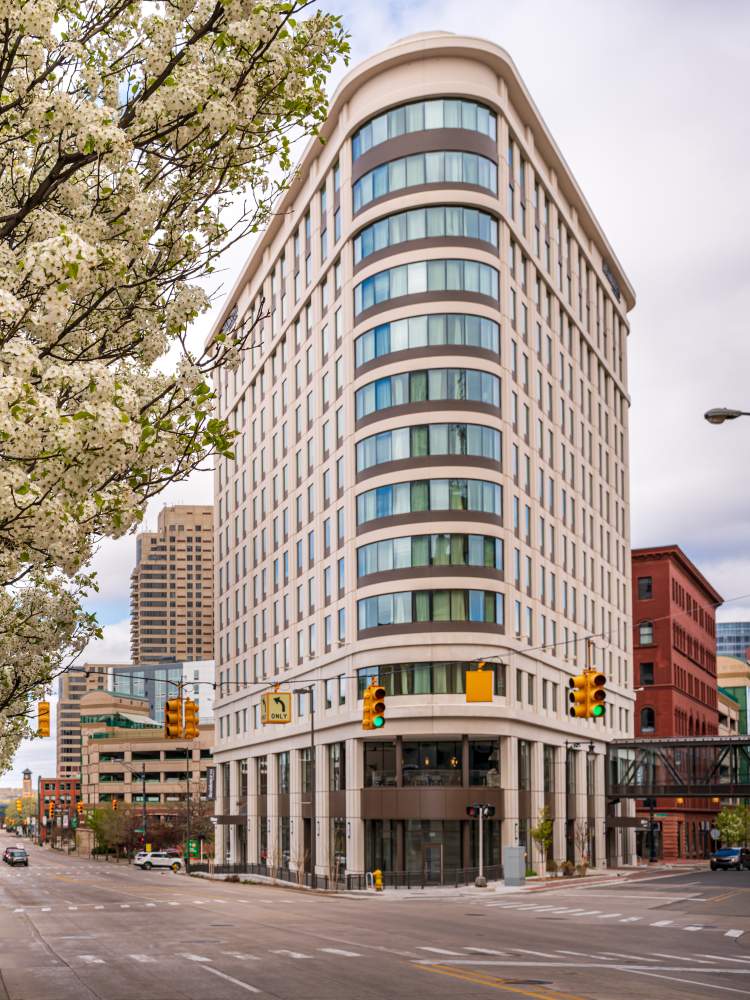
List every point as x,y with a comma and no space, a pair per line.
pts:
647,101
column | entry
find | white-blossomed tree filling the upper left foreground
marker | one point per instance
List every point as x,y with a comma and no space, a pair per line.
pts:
139,141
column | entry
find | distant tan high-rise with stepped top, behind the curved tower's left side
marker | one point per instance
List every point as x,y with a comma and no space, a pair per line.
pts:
172,587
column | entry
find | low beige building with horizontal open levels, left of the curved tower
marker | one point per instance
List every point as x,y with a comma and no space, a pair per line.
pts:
126,756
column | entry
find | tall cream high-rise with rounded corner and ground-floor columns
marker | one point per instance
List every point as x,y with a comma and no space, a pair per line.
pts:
432,470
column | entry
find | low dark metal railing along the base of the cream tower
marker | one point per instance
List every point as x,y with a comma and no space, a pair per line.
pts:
360,881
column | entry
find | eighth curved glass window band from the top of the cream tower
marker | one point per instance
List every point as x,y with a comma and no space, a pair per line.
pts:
430,494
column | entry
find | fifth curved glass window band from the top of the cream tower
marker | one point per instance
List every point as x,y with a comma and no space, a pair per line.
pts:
427,331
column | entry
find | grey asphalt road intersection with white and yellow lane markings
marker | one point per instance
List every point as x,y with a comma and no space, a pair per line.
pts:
78,929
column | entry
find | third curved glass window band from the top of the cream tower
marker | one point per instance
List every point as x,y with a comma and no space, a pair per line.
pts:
425,223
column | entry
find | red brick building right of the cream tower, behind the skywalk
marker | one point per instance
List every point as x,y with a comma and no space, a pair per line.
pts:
674,649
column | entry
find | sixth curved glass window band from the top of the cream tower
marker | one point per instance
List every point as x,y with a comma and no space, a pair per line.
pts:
432,384
